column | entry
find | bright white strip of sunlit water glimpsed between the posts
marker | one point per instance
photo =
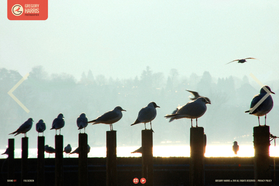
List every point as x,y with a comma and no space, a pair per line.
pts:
162,151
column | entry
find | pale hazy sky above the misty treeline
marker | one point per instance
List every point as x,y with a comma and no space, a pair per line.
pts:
120,38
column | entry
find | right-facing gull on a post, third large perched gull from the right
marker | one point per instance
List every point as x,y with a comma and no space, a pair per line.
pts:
147,114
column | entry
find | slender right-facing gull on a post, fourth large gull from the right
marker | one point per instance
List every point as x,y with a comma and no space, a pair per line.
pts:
109,117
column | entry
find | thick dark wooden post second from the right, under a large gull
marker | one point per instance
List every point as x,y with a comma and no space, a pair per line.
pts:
197,145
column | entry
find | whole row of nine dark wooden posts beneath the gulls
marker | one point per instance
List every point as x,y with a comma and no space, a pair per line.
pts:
197,145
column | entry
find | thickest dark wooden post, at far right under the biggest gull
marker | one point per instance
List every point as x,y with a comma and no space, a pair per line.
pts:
261,160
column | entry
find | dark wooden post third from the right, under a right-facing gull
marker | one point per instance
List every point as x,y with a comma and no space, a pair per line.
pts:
147,157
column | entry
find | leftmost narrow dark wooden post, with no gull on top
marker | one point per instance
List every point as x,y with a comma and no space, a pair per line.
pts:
11,157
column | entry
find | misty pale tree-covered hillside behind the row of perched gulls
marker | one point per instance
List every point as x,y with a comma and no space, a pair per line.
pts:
46,95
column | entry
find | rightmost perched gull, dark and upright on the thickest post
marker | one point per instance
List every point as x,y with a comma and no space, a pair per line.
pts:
261,103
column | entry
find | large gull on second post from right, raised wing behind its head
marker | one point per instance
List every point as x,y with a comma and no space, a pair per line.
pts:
193,110
